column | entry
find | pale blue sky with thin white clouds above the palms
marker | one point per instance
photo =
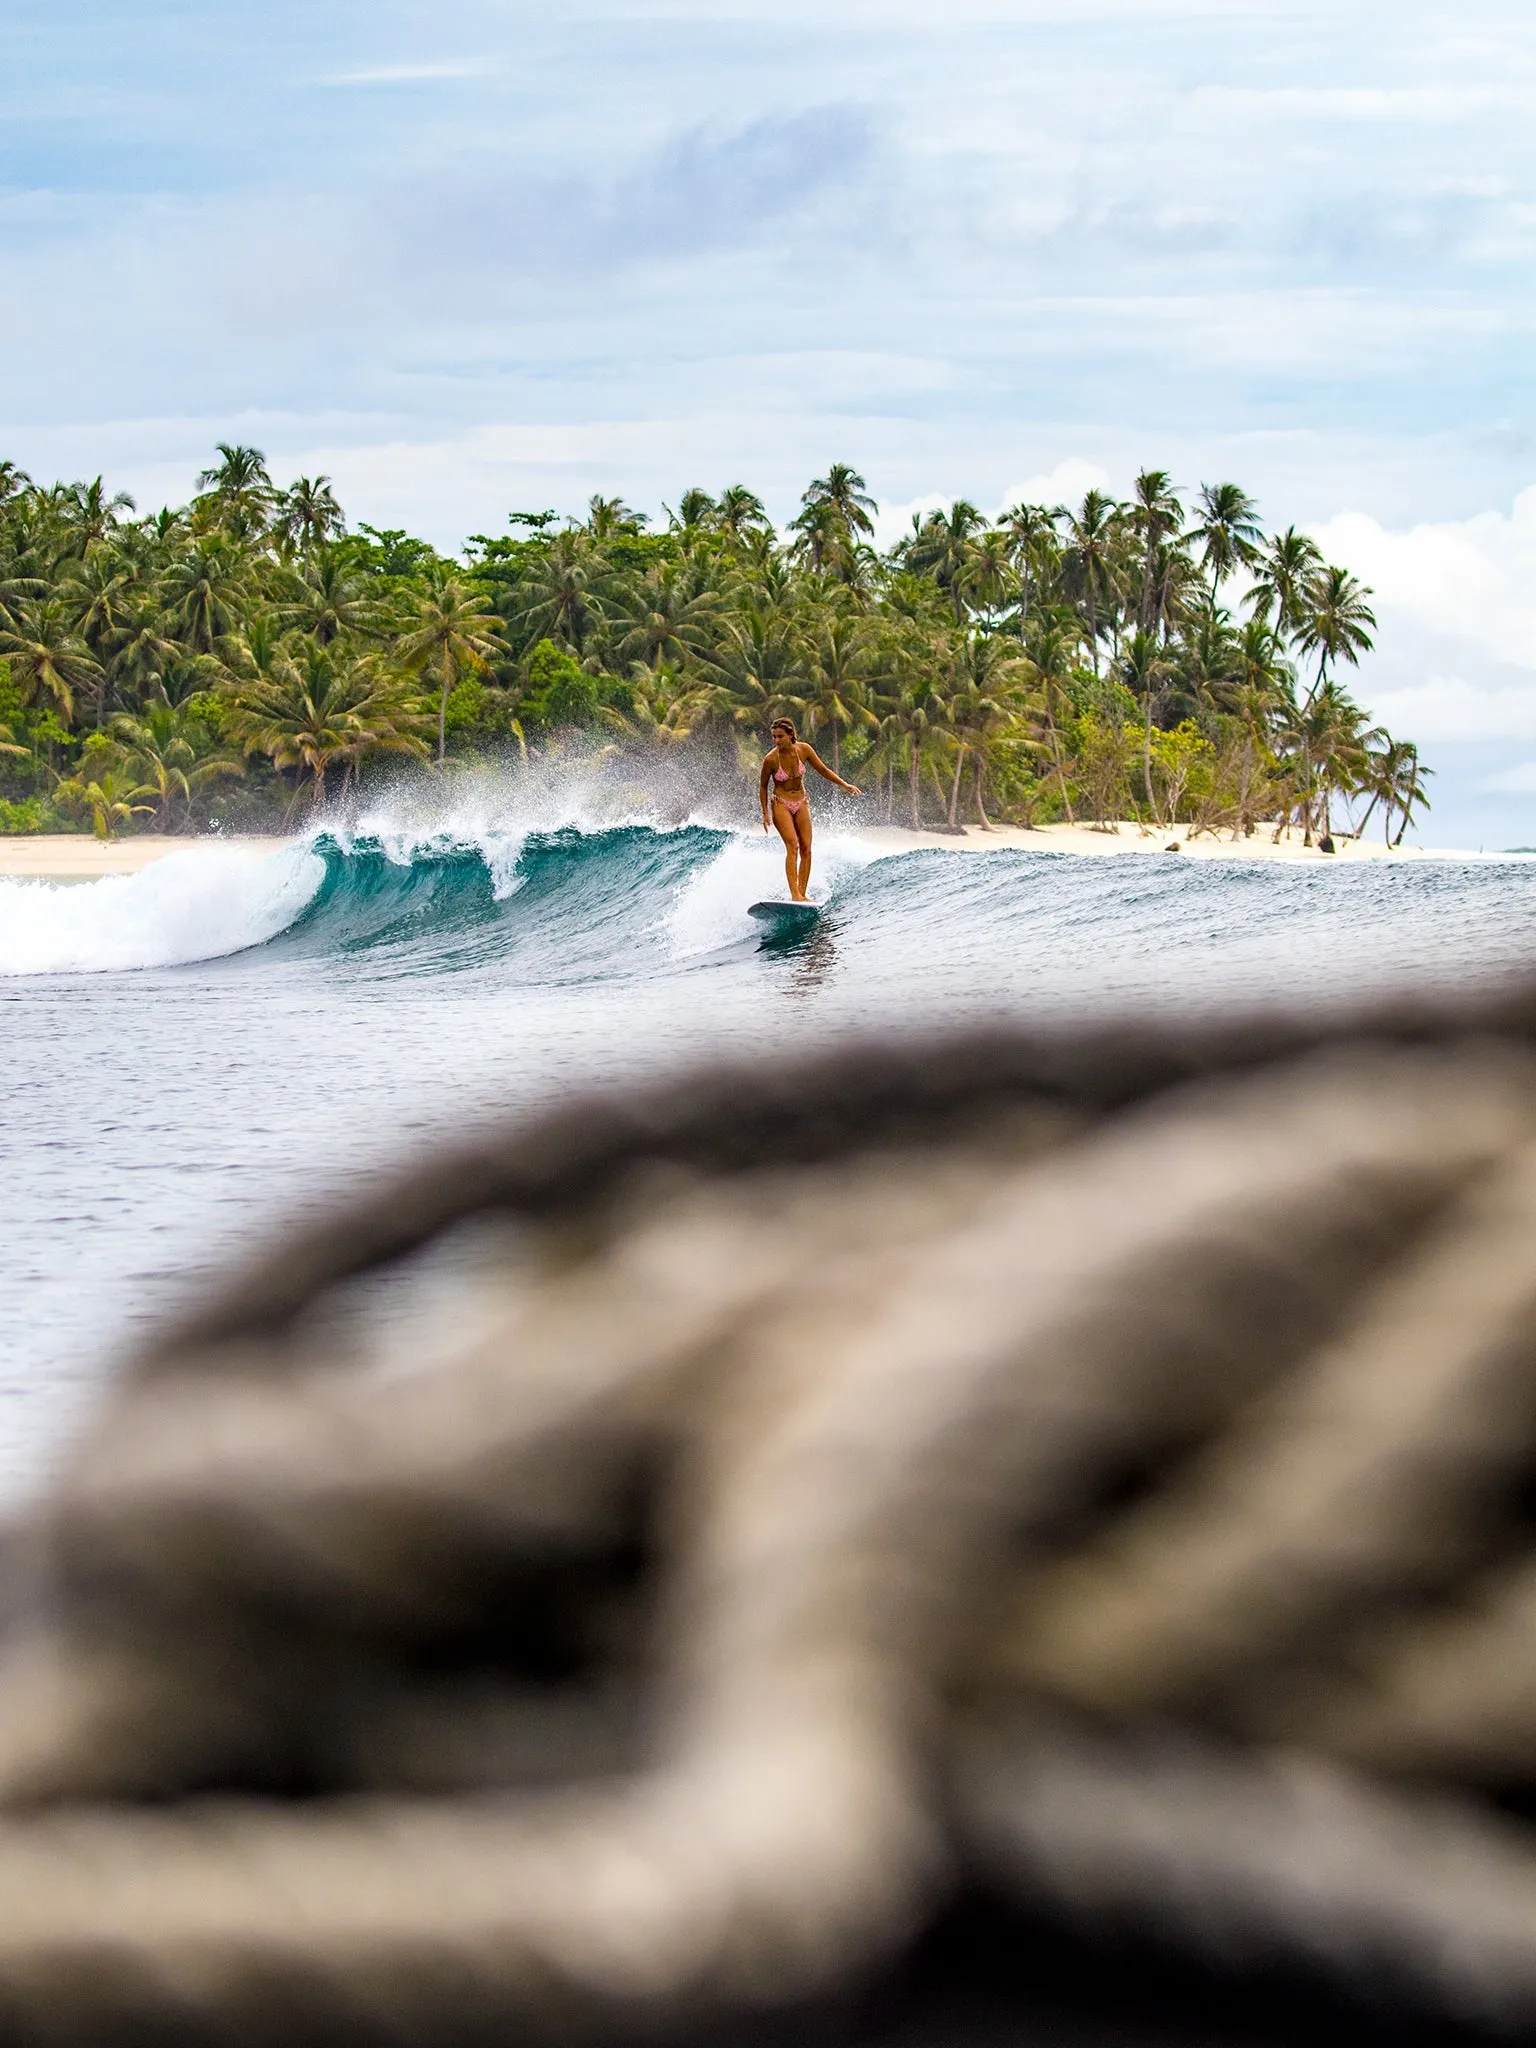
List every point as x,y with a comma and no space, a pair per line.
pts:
493,255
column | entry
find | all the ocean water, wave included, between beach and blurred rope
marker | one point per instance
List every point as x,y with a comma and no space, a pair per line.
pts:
200,1054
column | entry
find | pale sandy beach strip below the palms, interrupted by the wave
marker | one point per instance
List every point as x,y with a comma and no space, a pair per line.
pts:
69,857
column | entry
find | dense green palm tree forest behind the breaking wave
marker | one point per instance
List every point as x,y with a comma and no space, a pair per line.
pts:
245,660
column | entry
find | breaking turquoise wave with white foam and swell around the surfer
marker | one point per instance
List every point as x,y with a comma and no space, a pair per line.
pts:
620,902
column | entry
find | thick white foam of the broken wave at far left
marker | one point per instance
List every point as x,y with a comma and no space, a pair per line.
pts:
194,906
